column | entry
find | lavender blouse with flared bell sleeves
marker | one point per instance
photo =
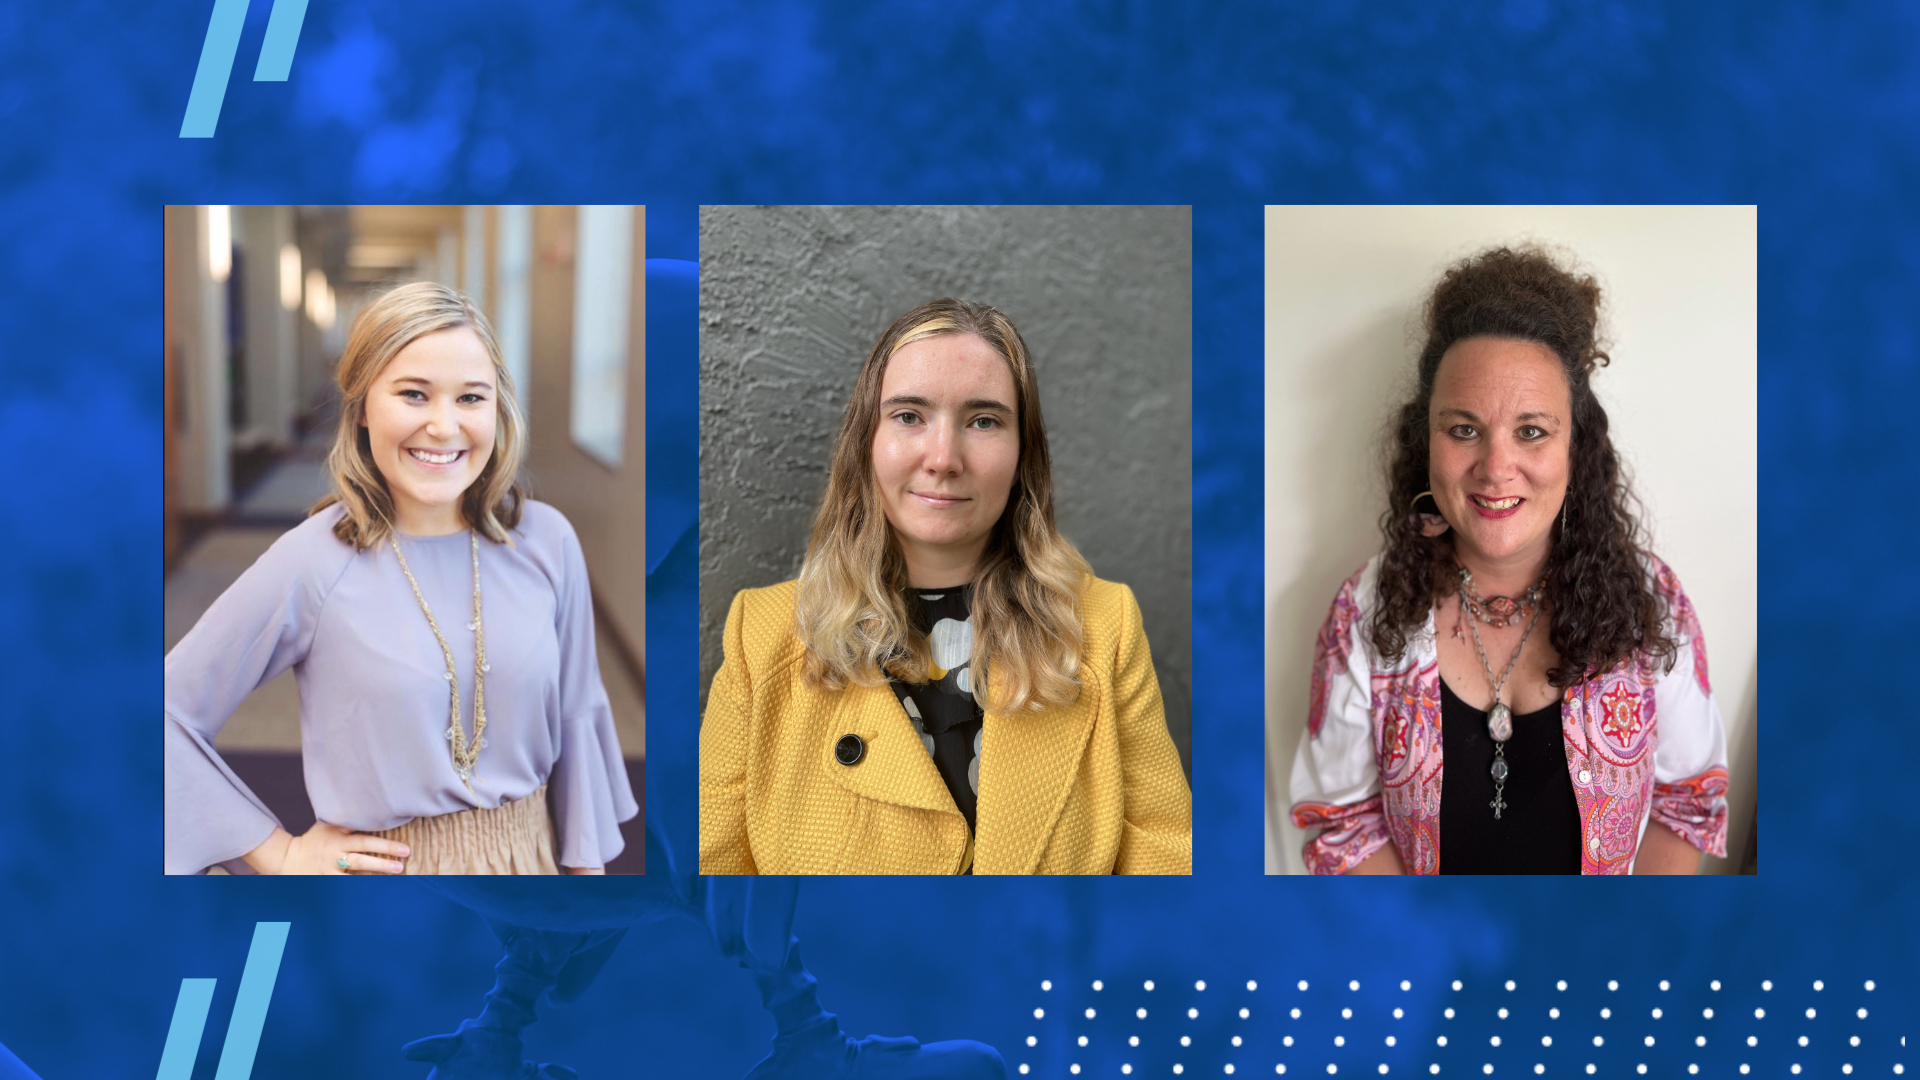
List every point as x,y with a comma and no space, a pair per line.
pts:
373,691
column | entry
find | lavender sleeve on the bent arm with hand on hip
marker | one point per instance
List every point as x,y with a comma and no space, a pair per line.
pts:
260,627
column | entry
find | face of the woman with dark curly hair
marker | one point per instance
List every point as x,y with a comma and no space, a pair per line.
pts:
1499,451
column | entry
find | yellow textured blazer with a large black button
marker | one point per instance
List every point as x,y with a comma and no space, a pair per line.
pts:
1092,789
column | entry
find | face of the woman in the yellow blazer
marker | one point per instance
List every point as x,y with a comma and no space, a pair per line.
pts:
946,453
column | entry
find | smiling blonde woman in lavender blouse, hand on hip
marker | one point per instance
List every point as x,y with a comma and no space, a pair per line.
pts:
439,626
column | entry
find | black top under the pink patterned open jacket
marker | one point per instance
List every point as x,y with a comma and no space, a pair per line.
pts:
1539,831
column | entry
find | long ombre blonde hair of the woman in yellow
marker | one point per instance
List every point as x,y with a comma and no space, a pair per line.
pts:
852,601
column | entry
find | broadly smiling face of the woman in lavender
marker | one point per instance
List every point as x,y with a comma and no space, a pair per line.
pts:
431,420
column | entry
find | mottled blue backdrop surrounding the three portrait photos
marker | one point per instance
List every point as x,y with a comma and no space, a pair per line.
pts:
1224,107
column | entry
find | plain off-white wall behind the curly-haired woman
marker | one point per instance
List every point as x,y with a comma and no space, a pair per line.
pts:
1345,289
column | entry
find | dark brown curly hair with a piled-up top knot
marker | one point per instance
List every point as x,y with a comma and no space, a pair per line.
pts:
1600,593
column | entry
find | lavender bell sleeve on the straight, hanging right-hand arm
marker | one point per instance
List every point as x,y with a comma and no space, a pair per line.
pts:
588,787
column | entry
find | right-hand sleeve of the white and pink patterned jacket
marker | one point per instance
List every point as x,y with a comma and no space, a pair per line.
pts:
1691,762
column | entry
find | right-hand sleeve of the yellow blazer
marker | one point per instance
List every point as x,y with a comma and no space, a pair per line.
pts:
1159,818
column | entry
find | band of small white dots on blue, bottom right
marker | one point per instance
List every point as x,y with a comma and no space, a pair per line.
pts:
1366,1033
